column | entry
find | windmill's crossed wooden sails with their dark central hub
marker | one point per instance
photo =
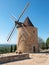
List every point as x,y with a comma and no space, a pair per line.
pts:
17,23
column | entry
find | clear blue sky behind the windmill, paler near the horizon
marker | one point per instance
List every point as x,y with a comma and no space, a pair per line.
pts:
38,12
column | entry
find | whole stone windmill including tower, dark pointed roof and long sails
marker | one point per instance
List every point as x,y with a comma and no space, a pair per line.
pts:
27,34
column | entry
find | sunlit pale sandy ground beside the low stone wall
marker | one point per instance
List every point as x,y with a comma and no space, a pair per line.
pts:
35,59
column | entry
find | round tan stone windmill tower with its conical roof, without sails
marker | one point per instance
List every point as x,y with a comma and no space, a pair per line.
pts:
27,37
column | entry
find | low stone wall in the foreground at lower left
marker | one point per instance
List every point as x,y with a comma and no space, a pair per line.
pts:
13,58
